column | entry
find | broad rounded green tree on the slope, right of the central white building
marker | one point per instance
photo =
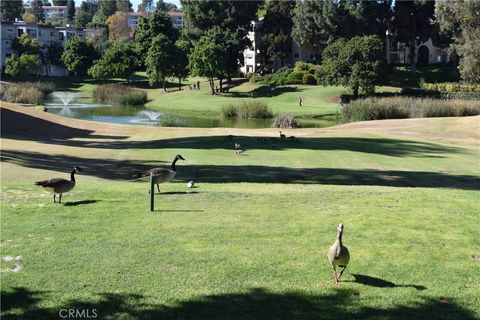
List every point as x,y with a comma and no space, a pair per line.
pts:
356,63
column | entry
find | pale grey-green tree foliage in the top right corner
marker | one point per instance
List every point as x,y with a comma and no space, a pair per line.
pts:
461,20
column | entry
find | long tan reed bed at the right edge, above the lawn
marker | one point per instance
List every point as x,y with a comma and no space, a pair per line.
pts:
407,107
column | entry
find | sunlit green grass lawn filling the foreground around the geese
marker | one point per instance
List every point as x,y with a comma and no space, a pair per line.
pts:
249,242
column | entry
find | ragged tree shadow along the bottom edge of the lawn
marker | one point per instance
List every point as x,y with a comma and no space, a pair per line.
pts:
255,303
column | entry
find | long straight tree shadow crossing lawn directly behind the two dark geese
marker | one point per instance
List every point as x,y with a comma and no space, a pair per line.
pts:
123,170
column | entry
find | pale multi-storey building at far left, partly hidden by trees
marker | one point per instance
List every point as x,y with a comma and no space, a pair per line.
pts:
43,33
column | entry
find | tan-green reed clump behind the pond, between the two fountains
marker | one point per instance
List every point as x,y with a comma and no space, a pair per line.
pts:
117,94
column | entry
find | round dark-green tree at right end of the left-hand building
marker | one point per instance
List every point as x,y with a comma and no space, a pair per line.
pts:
79,55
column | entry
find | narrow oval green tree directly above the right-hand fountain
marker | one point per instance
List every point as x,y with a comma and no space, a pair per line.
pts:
159,60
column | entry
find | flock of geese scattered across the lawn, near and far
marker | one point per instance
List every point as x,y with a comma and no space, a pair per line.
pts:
338,254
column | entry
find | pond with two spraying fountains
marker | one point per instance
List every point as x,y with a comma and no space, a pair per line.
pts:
73,105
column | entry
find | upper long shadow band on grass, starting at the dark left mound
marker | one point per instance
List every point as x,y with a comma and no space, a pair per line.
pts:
20,126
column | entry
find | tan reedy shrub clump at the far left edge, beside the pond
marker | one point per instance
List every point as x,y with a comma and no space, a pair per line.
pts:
26,92
